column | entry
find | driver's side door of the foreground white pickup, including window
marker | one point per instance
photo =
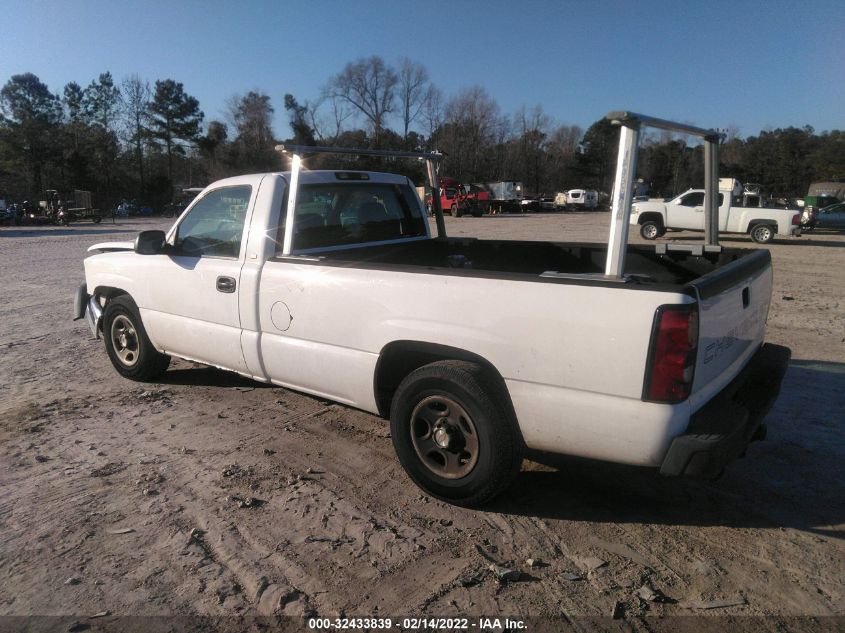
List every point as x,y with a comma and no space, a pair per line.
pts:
193,310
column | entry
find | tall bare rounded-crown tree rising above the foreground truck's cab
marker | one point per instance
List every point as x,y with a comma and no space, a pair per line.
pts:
369,86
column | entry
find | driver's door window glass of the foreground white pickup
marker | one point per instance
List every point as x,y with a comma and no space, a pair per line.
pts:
215,225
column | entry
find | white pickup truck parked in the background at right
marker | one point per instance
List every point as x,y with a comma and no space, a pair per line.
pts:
686,211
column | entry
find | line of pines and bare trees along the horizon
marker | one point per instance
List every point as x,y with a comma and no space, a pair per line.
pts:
133,139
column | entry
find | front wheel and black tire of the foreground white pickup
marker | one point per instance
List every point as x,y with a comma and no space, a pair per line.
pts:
127,343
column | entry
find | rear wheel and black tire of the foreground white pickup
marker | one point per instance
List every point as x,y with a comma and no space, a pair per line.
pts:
487,451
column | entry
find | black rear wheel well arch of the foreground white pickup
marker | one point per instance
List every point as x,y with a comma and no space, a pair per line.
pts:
397,359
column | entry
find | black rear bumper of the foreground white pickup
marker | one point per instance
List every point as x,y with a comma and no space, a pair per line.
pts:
720,432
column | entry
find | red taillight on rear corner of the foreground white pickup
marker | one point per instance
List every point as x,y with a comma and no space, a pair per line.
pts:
671,364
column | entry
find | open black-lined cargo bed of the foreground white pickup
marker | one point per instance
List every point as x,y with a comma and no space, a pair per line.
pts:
506,258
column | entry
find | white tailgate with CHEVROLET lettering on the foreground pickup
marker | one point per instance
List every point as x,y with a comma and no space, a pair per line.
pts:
733,307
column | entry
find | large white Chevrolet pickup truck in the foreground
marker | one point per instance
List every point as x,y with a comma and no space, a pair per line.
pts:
330,283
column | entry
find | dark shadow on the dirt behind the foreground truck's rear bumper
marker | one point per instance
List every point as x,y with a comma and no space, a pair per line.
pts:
794,479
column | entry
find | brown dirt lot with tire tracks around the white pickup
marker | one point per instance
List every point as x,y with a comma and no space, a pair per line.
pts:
131,499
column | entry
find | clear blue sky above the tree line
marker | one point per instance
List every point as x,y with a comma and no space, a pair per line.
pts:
755,65
